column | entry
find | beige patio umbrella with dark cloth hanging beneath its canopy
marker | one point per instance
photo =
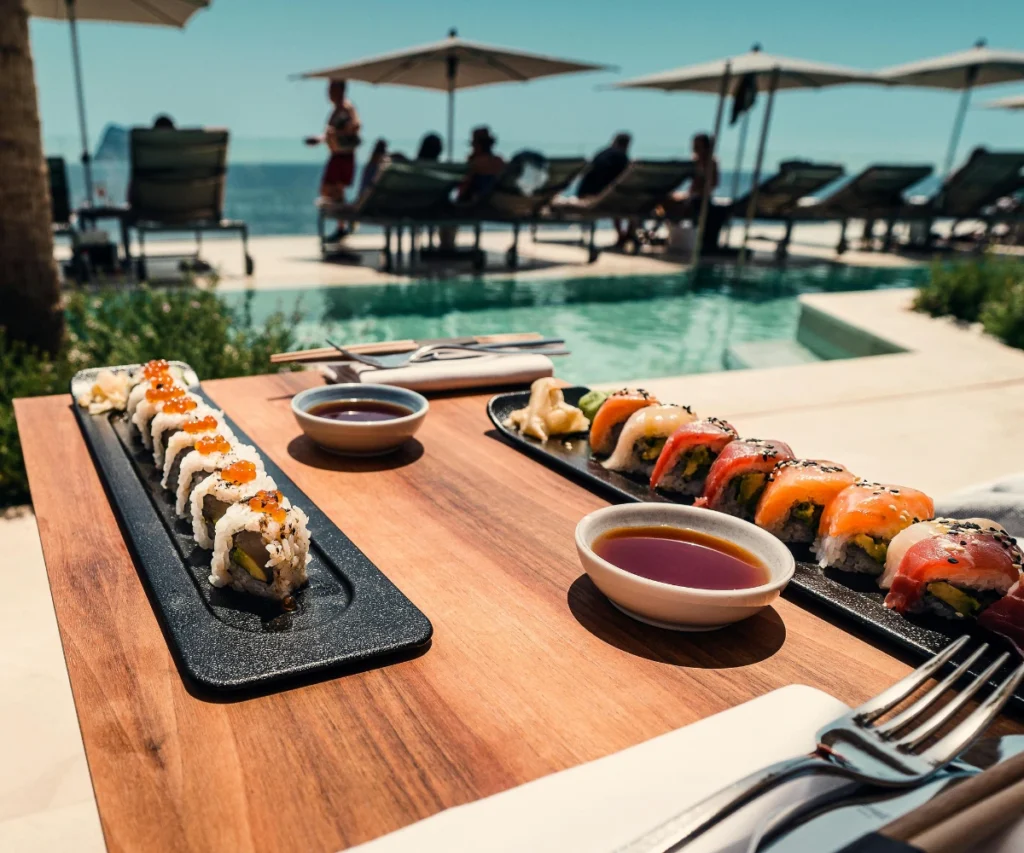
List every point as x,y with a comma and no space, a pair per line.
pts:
726,77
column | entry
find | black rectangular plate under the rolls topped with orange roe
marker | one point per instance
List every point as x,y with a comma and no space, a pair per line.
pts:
349,616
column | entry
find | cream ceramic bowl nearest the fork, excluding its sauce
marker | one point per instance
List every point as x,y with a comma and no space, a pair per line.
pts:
682,609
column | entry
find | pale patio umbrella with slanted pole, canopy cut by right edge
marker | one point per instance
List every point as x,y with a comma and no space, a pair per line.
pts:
982,66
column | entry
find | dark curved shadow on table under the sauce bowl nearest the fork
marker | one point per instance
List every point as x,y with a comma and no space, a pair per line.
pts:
738,646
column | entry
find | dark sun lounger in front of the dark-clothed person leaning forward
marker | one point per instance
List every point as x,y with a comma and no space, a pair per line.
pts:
634,195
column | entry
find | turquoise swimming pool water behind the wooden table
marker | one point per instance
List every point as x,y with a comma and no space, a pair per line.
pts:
618,328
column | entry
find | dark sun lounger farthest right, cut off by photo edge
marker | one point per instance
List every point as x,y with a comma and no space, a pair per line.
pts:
972,192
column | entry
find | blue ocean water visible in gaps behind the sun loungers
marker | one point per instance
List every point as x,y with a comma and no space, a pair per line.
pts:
273,198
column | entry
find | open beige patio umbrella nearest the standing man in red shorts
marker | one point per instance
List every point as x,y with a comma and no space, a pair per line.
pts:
452,65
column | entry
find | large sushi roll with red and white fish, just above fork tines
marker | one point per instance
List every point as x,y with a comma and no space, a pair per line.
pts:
957,575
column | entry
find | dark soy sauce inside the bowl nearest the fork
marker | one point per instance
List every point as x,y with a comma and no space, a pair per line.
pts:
681,558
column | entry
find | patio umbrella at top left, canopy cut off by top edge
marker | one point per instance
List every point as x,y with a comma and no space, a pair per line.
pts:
159,13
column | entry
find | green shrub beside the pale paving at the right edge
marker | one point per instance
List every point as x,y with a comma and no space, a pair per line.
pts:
962,289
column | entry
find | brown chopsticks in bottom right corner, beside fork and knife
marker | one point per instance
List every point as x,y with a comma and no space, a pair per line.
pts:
959,820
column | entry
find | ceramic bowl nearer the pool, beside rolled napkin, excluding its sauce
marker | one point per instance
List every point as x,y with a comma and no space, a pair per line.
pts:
360,438
